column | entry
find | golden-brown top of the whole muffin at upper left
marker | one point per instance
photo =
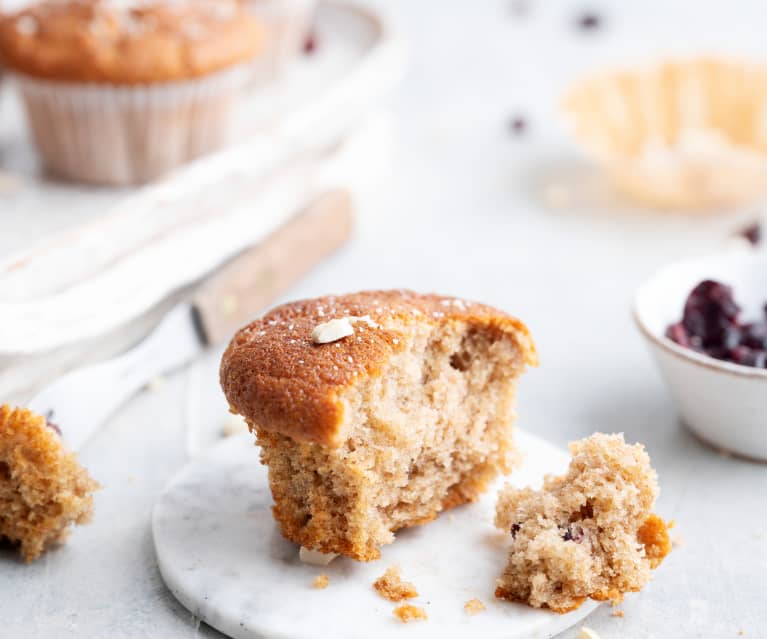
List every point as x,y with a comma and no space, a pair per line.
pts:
128,42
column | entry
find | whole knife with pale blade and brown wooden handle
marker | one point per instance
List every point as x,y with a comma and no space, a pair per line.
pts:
80,401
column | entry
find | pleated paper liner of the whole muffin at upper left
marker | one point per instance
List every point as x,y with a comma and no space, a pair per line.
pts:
124,135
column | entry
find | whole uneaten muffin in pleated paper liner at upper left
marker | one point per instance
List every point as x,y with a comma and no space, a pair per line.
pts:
119,93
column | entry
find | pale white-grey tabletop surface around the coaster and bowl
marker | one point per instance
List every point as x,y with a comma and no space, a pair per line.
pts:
464,215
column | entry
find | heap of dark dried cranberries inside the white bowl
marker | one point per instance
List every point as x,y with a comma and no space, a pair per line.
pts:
711,325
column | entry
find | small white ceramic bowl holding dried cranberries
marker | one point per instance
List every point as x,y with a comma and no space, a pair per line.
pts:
724,403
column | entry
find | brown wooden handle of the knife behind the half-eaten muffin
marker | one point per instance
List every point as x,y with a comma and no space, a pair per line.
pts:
253,279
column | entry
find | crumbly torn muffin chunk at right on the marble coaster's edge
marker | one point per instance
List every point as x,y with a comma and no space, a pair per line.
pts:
588,533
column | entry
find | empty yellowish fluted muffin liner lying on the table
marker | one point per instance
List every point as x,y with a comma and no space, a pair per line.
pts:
688,135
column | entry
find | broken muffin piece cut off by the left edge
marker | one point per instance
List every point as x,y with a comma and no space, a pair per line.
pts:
43,489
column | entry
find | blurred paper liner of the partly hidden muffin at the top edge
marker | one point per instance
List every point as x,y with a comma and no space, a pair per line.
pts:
289,23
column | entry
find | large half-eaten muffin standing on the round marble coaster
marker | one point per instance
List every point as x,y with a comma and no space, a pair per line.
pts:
408,412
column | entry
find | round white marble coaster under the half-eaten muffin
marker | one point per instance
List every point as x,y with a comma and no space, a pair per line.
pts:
222,556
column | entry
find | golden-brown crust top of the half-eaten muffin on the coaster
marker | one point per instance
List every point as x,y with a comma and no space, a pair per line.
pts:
275,376
